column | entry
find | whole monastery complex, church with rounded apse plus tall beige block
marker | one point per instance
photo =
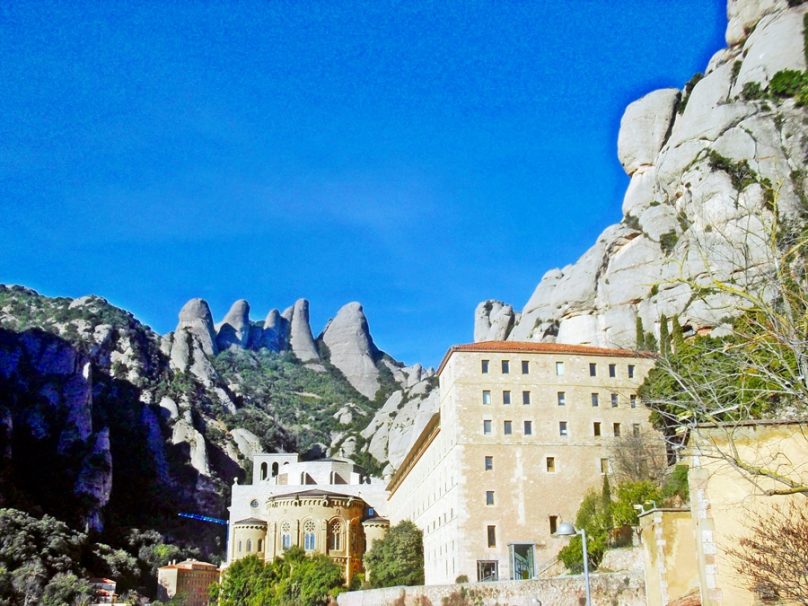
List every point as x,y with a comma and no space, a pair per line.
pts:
523,431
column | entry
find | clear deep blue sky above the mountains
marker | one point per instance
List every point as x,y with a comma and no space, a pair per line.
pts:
415,156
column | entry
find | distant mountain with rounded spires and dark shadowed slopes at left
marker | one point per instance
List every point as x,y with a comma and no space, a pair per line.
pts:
103,422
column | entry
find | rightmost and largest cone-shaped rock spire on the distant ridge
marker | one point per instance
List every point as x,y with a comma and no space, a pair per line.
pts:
352,349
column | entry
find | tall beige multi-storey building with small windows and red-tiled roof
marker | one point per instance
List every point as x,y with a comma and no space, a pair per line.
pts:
524,430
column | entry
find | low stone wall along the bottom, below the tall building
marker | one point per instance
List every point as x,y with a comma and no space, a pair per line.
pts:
615,589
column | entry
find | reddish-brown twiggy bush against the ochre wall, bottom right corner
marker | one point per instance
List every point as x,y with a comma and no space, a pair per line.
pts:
772,555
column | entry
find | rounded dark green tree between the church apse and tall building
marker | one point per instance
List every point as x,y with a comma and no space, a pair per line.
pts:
398,558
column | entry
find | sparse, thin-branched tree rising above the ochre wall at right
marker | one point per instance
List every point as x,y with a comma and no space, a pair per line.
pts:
760,370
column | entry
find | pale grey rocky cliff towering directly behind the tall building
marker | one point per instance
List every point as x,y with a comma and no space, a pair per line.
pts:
710,165
